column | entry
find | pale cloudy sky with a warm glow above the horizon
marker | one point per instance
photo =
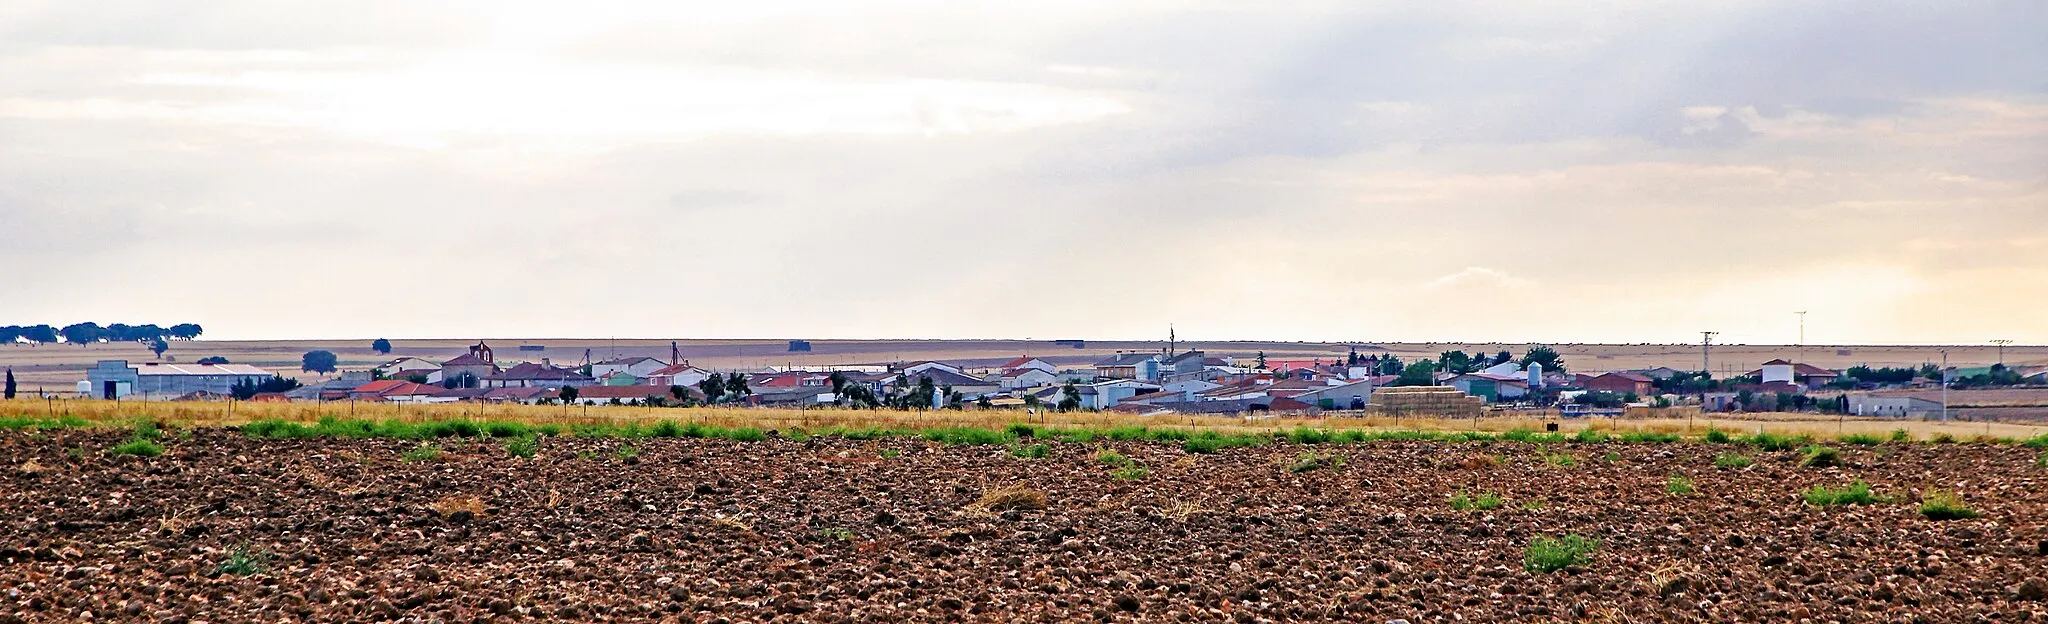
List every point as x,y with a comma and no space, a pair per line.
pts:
1242,171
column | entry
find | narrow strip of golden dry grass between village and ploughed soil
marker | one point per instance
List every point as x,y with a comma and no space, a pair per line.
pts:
1641,420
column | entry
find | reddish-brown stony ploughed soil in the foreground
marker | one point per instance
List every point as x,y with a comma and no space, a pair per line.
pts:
830,531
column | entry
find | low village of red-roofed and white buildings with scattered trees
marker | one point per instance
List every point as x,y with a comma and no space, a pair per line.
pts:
1170,382
